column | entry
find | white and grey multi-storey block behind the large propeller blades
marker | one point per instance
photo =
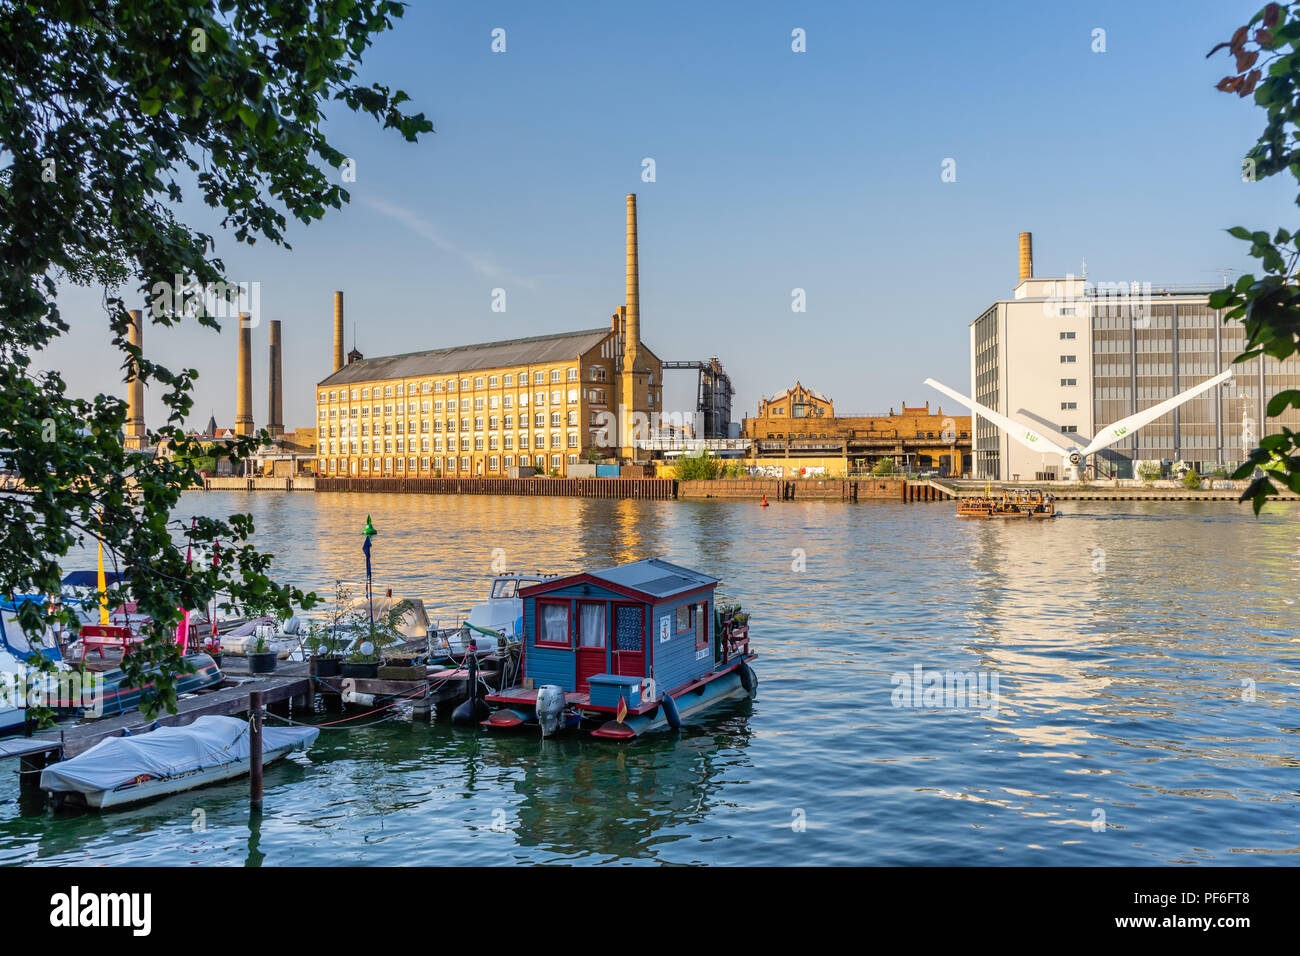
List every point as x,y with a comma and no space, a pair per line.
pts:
1077,357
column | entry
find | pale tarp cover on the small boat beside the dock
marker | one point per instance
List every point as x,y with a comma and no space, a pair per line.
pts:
166,752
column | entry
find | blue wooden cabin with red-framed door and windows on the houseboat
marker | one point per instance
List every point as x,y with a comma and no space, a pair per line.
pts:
604,633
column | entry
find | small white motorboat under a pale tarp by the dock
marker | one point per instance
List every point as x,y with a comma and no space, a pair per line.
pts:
125,771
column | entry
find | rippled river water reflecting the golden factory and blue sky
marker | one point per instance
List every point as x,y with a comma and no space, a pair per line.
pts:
1146,660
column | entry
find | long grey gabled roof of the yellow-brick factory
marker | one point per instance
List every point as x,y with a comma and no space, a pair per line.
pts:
467,358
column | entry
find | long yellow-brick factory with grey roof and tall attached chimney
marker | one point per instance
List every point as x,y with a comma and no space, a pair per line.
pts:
496,409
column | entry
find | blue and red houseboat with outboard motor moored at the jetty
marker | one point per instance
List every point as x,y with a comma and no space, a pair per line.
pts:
626,651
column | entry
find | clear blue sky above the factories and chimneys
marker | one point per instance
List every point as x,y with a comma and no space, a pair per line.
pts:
774,171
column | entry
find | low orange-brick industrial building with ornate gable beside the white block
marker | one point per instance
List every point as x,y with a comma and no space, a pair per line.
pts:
801,423
